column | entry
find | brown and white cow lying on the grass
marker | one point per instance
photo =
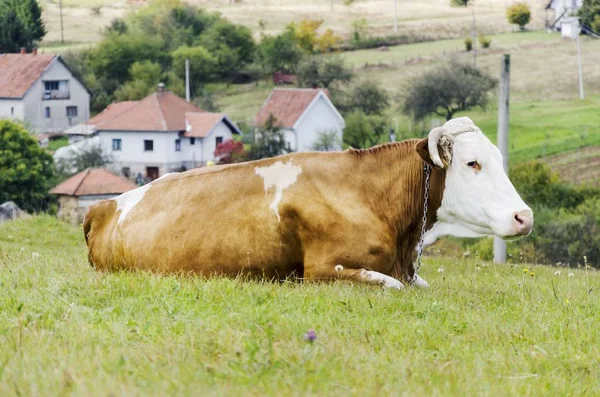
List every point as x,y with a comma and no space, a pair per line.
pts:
350,215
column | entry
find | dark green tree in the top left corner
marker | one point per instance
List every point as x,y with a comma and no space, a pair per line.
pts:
21,25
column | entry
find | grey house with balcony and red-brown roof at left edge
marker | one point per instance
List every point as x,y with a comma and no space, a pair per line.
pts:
40,91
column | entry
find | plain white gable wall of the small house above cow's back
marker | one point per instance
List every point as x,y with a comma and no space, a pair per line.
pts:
320,117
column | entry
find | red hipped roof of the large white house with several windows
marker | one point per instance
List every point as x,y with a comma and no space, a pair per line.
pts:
161,111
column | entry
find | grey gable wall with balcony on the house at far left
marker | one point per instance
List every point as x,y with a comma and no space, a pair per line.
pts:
34,104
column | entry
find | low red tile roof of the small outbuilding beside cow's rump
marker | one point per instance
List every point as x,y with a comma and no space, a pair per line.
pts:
93,181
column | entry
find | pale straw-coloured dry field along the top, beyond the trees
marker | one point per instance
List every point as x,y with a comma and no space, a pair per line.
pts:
84,19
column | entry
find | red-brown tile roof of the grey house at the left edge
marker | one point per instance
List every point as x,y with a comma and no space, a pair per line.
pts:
18,72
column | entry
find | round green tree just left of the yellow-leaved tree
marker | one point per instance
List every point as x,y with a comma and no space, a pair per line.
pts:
280,53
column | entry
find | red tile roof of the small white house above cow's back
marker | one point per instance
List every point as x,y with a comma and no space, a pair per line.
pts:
287,105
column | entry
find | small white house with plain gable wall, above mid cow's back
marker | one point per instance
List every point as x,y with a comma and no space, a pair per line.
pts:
303,114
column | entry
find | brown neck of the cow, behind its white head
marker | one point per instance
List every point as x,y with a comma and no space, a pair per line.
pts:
394,182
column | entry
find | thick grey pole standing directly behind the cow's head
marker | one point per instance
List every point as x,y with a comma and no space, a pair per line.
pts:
503,106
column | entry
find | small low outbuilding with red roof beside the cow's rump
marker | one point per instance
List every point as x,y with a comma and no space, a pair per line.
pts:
86,188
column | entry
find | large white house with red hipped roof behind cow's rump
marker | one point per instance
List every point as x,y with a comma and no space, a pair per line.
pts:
161,133
